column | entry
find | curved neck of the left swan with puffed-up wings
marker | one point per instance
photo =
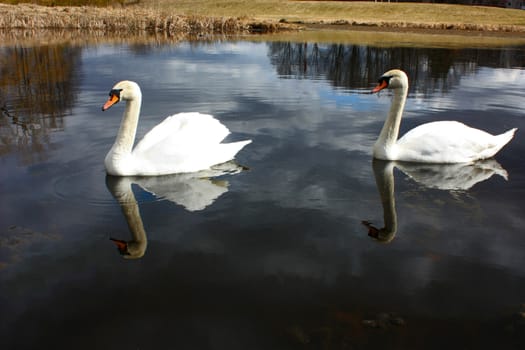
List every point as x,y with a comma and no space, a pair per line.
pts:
128,127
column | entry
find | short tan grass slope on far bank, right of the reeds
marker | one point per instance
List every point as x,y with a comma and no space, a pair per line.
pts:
368,13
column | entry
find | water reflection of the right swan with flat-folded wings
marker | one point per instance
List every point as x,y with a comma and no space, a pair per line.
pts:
450,177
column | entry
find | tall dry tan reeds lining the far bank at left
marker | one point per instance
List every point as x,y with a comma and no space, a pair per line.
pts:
125,20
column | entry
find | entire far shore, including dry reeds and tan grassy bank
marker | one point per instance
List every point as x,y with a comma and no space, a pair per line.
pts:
234,16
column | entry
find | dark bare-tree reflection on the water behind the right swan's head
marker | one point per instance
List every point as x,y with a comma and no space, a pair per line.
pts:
355,66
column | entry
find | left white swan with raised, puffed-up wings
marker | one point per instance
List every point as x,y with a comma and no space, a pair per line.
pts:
182,143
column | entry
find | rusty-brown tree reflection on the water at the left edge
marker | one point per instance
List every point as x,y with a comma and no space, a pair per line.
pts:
37,89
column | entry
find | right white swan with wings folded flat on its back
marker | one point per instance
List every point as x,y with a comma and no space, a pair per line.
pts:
436,142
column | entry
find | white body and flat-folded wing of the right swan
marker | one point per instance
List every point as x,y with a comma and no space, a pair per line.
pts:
447,142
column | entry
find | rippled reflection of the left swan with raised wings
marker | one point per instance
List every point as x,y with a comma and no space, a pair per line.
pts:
194,191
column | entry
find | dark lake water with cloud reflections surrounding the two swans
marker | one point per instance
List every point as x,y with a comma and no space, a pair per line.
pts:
276,256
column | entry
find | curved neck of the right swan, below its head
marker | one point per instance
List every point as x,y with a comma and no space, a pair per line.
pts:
390,132
